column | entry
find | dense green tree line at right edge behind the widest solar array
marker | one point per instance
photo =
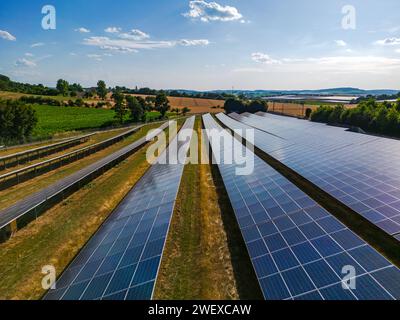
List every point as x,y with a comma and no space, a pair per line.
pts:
382,118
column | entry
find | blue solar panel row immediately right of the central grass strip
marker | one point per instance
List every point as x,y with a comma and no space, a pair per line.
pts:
298,249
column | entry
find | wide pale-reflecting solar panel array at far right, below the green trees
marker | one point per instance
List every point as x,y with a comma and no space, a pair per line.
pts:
359,170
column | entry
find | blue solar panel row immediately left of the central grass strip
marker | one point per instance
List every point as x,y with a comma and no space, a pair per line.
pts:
122,259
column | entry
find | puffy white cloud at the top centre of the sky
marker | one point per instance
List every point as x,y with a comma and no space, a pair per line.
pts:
212,11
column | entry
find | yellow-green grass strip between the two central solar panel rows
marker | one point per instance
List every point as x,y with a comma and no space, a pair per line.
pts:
204,251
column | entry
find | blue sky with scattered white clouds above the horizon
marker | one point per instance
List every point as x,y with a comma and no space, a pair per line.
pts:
204,45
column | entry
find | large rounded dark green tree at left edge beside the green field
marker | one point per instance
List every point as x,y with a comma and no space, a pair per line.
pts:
17,121
